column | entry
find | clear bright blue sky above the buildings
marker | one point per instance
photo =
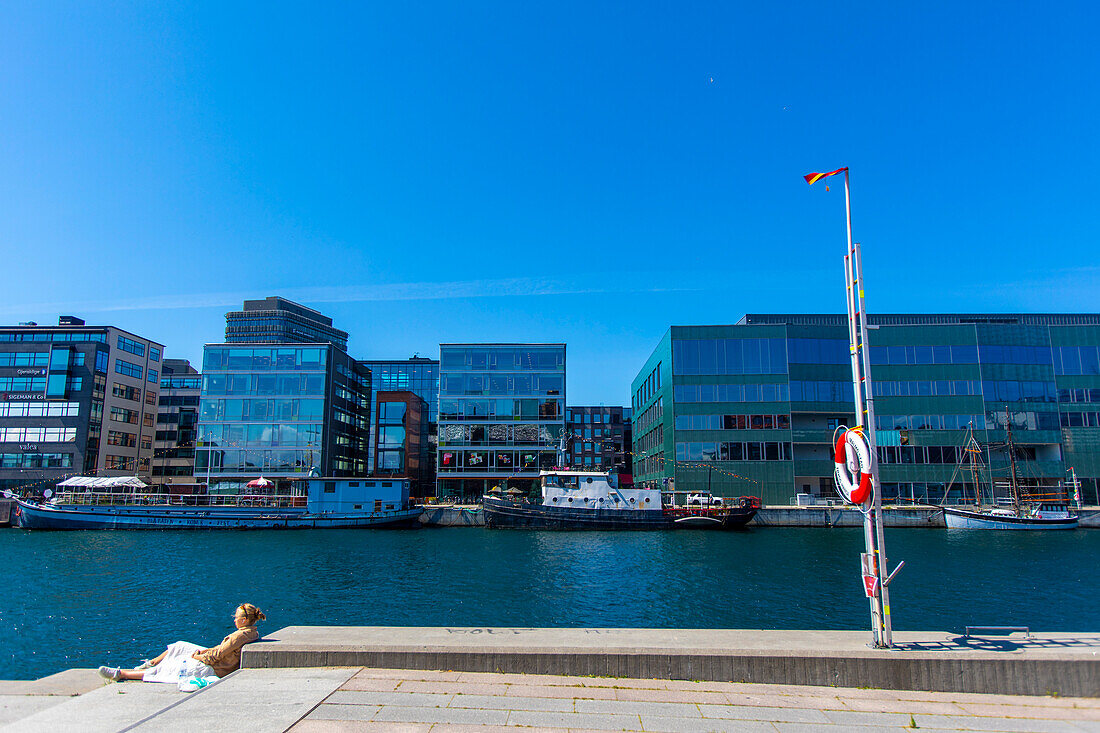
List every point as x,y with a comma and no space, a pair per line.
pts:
589,173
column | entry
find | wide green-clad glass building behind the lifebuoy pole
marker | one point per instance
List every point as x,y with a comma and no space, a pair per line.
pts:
752,408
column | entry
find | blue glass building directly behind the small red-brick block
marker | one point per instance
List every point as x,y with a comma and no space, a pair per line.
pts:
420,376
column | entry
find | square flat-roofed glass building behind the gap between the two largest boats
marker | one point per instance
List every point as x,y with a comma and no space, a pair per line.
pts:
502,415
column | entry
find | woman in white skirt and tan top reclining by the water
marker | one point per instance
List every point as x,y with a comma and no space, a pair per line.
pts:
185,660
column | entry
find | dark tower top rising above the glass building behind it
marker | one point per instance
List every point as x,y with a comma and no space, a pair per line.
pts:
279,321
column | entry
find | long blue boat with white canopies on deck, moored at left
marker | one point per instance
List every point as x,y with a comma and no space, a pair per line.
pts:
322,504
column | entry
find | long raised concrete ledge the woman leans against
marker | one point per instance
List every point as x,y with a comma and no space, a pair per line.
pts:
1044,664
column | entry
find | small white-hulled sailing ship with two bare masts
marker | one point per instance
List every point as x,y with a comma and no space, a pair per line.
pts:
1021,513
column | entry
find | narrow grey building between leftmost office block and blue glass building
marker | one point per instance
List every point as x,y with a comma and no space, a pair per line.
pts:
177,425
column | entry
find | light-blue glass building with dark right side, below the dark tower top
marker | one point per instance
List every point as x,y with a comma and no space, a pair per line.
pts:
282,411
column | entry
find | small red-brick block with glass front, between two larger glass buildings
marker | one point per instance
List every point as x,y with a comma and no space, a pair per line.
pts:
402,433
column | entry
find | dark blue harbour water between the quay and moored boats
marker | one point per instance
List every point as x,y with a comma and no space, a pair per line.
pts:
83,599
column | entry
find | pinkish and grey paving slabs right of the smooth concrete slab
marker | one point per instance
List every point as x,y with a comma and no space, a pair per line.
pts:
421,702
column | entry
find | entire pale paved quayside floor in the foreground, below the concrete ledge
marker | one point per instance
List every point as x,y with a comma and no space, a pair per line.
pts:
317,701
